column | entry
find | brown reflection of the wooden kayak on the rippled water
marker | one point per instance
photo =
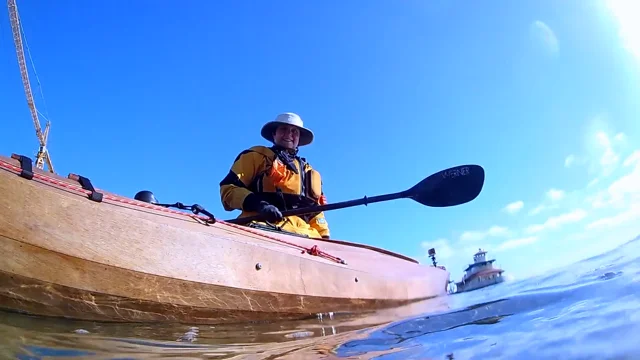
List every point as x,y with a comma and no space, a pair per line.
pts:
32,337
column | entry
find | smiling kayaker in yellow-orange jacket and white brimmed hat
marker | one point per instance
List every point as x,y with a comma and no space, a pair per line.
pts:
267,180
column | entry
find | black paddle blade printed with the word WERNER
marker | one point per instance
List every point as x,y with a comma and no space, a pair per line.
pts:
450,187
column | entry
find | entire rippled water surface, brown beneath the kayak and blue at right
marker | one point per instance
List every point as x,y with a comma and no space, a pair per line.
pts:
588,310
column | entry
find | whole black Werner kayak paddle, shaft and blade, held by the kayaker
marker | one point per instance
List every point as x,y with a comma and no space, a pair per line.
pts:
450,187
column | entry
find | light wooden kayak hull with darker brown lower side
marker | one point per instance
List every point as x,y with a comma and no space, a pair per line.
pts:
127,261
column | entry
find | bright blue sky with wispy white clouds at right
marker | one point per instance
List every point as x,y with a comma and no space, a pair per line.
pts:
163,97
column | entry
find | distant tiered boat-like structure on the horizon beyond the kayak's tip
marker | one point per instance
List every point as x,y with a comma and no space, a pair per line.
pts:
479,274
